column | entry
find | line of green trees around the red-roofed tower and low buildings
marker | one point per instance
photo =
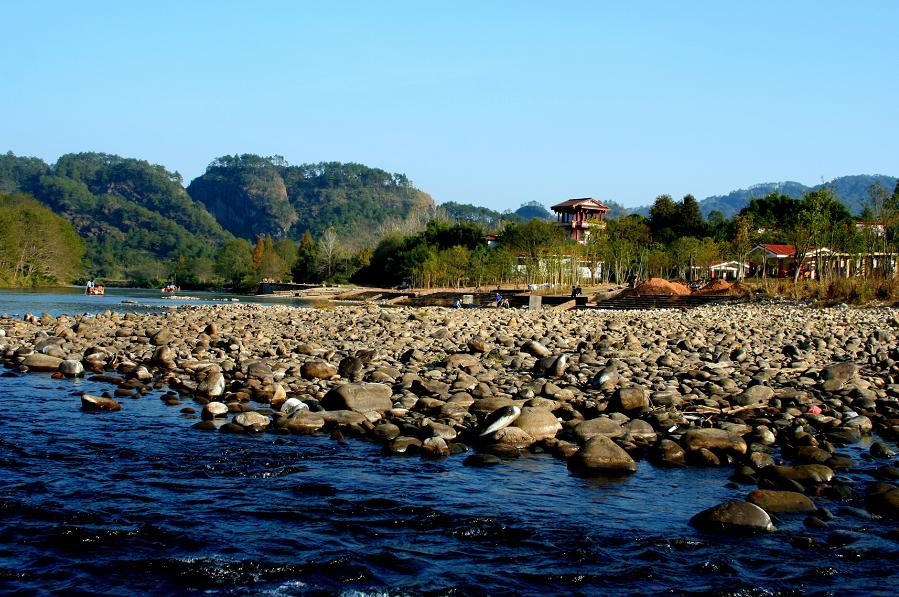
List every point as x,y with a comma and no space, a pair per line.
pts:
674,241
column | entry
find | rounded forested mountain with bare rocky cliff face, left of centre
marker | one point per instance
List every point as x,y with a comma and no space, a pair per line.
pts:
252,195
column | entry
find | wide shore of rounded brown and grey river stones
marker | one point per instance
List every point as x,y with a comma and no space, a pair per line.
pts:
770,390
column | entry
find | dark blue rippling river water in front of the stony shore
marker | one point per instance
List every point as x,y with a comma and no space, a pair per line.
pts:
137,502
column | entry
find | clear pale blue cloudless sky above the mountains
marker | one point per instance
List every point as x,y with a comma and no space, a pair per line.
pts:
490,103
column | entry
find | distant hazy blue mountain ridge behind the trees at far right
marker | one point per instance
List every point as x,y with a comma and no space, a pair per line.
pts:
852,191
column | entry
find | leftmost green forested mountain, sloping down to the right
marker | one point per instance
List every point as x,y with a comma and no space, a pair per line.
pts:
135,217
